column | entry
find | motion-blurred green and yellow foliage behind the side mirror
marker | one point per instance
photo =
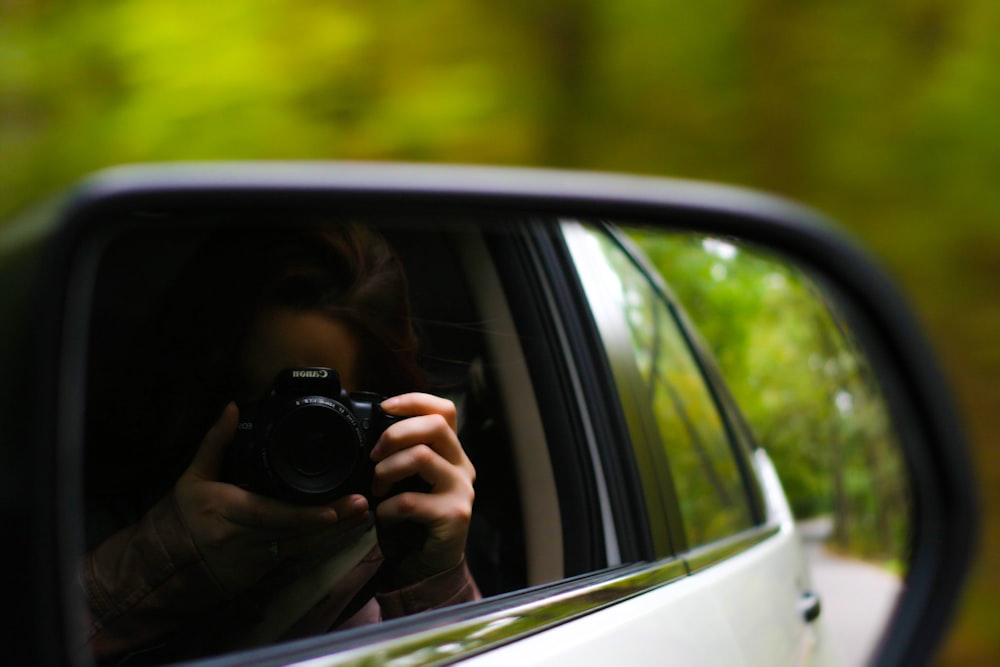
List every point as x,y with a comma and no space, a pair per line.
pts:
879,114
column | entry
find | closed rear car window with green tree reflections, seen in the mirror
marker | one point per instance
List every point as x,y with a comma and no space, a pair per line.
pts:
684,442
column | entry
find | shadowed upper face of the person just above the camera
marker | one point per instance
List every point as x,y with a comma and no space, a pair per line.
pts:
283,338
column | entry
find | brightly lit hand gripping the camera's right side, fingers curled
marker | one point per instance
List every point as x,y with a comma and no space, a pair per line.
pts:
425,445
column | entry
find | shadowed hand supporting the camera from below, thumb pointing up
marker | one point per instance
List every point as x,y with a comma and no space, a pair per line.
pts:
242,535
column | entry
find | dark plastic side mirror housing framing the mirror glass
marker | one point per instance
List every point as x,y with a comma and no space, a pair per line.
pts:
49,263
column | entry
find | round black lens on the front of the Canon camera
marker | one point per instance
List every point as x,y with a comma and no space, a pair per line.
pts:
313,449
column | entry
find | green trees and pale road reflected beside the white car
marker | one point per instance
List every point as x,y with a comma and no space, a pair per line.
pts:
792,362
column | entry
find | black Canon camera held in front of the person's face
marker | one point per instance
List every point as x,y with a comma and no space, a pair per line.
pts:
307,441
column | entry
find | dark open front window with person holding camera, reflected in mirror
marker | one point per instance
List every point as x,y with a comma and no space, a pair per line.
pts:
238,448
